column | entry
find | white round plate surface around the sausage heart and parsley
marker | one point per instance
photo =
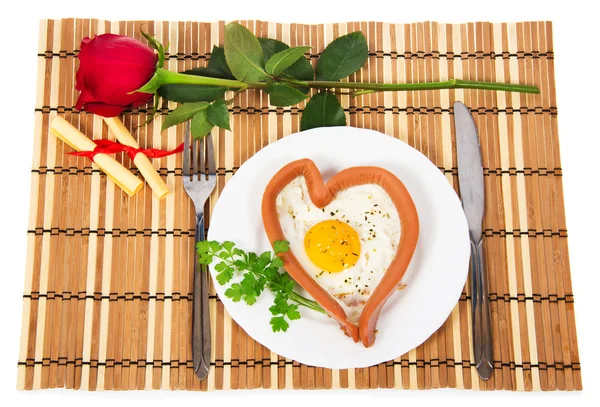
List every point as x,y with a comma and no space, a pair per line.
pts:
434,279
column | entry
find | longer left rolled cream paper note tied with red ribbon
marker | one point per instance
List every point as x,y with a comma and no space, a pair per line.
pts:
115,171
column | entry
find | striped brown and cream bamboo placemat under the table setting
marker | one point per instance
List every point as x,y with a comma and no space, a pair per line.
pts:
107,297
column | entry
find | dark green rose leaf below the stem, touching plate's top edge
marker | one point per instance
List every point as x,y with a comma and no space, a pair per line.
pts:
322,110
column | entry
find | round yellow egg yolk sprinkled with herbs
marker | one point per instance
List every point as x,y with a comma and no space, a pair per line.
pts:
332,245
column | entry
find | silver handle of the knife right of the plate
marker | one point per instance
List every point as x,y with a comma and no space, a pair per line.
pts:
482,330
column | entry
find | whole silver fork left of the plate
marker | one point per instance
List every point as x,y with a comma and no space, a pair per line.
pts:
199,184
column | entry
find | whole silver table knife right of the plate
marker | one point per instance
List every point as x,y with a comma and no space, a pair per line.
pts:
470,179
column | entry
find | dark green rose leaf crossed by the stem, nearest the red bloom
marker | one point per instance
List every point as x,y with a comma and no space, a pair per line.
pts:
183,93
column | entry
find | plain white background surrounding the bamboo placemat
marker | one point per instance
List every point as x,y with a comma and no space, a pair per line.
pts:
576,46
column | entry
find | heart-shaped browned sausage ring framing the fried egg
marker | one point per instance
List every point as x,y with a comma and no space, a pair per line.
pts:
321,195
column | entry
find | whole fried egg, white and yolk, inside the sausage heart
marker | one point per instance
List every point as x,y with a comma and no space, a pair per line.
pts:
347,246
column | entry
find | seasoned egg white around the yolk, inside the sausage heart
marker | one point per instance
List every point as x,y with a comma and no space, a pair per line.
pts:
366,208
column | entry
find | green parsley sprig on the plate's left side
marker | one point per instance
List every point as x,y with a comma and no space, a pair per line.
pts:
258,272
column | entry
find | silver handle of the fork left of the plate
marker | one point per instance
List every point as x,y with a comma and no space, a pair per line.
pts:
201,346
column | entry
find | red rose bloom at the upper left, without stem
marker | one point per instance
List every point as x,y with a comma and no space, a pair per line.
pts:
111,66
